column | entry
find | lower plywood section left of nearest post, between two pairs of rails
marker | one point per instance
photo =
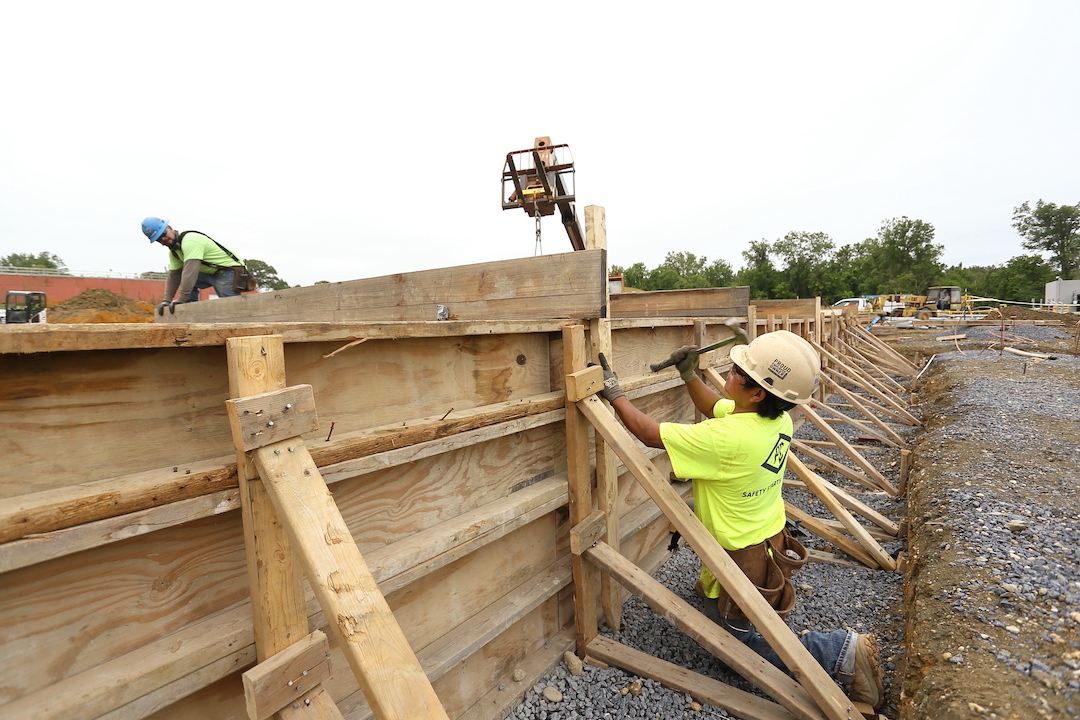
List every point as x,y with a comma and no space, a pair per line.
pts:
64,617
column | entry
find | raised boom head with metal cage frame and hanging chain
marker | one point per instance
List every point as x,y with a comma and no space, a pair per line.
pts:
541,180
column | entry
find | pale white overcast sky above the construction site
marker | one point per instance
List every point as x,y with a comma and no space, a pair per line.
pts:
337,141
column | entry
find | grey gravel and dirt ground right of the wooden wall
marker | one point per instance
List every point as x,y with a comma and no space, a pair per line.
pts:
985,623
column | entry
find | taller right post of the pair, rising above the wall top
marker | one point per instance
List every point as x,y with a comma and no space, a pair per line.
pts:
607,464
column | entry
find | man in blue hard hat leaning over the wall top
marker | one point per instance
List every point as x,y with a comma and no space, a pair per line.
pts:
196,262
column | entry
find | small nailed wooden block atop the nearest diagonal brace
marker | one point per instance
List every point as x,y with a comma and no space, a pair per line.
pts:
272,417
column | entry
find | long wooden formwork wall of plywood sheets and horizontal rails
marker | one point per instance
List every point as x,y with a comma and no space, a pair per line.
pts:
124,586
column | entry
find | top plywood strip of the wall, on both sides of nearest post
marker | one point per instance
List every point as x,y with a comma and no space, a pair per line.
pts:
124,412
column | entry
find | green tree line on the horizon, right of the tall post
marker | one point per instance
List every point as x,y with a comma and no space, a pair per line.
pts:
903,257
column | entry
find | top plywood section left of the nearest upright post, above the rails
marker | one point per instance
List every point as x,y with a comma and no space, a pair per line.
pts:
109,414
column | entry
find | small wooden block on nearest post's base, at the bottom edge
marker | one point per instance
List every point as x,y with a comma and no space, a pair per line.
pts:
287,677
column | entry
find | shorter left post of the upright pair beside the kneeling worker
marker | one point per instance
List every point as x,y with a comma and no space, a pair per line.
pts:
579,481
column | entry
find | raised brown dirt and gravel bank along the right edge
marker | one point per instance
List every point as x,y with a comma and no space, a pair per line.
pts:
993,593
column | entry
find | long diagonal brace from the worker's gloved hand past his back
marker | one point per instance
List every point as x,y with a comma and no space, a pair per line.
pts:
799,660
